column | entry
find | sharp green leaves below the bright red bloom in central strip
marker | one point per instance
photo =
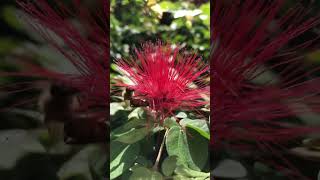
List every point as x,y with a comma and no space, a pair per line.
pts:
134,146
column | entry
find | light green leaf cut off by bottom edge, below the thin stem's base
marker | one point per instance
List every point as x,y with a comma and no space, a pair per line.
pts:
142,173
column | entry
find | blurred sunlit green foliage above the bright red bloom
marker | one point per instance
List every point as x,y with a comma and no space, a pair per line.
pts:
179,22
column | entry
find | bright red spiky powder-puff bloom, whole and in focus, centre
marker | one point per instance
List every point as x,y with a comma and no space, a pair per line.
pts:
166,78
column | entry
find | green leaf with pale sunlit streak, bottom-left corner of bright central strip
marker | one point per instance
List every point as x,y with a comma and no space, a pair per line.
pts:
122,157
